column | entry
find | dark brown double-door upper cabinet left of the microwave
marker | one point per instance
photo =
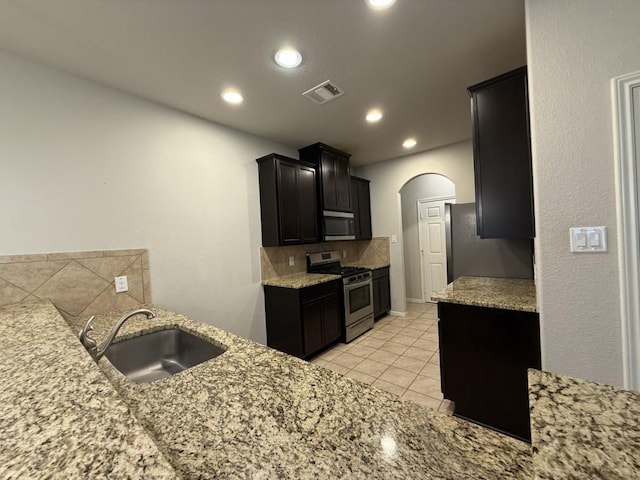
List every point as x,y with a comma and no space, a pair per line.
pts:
288,201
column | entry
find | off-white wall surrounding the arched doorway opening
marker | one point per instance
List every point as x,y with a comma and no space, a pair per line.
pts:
387,178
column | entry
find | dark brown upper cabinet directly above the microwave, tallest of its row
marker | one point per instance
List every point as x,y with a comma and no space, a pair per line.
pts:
334,176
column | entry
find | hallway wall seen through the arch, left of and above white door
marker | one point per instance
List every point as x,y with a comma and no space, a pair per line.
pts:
418,188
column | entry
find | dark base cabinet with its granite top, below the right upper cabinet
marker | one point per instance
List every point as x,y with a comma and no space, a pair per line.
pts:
489,335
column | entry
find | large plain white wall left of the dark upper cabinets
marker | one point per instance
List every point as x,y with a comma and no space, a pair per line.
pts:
83,167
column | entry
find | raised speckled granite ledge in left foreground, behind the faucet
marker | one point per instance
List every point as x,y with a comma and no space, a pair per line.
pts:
60,417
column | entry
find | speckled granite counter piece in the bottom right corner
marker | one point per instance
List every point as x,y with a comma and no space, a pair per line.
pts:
583,430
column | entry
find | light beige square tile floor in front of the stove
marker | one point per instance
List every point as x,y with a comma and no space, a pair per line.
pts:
399,355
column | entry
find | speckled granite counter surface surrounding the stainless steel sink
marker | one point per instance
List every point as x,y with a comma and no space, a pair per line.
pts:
257,413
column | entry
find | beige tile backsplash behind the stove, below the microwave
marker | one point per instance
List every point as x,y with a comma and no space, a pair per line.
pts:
274,261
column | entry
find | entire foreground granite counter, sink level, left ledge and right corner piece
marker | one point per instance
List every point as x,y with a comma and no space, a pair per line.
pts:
254,412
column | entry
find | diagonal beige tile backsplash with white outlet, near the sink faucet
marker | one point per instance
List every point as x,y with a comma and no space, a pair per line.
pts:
79,284
